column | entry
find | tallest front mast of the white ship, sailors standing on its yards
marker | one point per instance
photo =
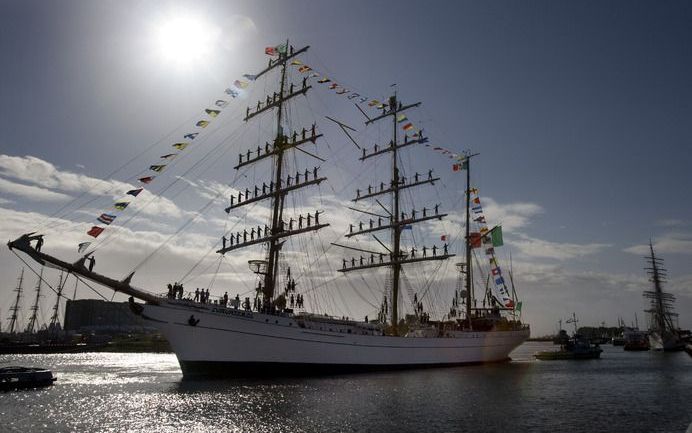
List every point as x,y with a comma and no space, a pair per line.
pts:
273,235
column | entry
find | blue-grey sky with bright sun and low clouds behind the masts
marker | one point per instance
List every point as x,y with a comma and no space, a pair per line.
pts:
579,110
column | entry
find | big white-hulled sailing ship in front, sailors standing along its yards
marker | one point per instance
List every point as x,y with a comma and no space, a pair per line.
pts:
270,337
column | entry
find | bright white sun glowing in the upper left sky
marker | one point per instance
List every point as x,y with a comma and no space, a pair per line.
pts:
185,39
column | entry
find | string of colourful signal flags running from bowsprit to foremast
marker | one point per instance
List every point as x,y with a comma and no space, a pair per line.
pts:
106,219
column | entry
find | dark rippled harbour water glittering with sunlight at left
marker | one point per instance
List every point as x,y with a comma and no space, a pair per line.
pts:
112,392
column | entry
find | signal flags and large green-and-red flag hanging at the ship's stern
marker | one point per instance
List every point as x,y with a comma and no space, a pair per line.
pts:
489,239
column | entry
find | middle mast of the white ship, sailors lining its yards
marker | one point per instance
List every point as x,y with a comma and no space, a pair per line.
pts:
397,219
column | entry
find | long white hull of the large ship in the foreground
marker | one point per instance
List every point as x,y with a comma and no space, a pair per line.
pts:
232,342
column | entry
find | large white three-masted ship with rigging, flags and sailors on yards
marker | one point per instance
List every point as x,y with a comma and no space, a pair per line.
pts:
272,331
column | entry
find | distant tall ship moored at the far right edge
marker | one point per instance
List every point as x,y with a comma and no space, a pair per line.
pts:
664,334
